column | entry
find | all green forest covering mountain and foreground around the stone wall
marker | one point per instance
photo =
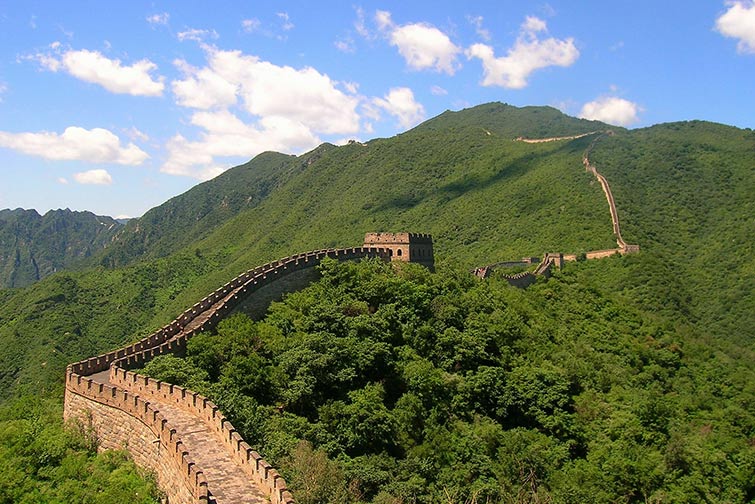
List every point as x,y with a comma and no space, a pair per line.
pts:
623,379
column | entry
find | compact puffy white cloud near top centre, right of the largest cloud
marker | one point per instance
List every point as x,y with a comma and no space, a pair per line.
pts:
422,45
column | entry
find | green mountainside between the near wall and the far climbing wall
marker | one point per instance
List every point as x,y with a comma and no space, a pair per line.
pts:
482,195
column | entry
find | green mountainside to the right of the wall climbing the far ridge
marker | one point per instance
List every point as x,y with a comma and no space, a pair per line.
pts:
685,192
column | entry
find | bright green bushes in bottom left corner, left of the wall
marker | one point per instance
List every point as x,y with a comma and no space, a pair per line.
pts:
42,462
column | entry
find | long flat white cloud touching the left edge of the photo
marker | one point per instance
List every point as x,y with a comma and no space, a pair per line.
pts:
96,145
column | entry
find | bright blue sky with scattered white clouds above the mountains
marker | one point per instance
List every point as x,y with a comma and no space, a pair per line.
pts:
114,107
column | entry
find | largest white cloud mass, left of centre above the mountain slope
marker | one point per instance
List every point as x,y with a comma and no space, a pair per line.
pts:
288,108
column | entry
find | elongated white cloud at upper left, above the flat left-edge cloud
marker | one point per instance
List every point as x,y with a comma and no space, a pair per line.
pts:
92,66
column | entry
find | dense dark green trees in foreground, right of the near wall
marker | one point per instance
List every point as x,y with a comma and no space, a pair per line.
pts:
391,384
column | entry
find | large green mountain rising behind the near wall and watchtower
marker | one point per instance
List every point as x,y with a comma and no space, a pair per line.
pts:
683,191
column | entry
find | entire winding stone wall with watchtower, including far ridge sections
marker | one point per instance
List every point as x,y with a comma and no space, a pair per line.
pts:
196,454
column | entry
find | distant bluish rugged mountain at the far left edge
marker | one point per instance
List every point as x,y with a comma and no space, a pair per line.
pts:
34,246
